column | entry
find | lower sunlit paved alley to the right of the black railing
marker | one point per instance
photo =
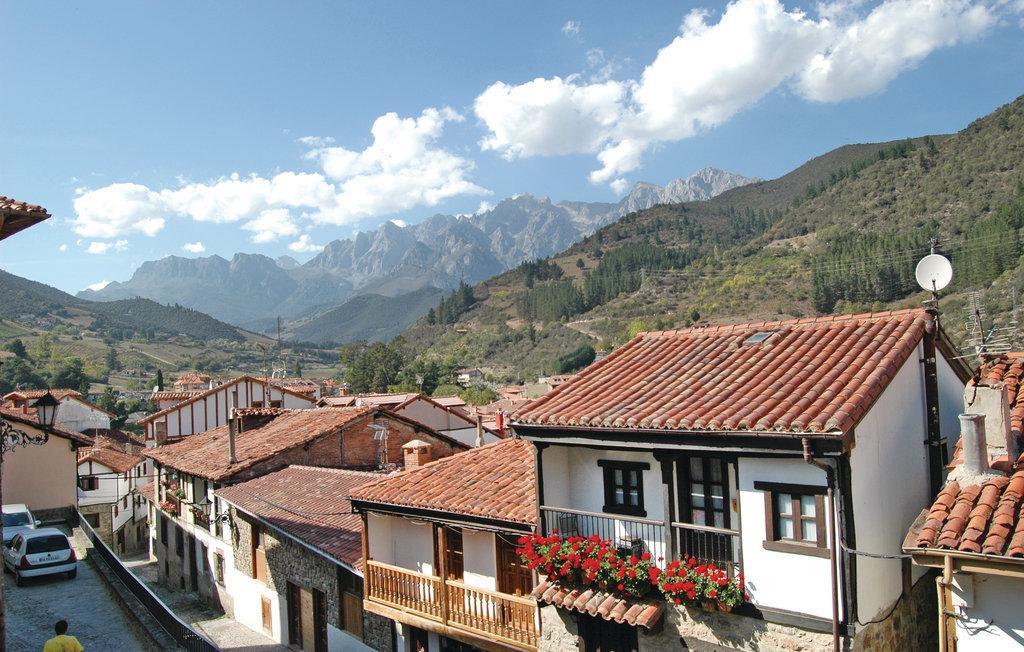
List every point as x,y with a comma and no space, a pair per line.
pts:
225,632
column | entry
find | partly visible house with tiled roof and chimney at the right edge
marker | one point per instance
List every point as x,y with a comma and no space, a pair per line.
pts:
973,534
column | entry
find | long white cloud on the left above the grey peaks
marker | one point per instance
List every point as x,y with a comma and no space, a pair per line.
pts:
403,168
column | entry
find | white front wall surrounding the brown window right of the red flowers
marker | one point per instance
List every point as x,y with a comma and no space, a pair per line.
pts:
774,578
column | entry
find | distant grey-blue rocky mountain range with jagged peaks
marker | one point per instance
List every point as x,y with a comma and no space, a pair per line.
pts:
252,290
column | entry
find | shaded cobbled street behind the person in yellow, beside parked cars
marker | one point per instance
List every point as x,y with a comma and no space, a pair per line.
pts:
94,613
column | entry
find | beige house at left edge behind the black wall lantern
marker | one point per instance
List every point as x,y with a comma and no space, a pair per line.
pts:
44,476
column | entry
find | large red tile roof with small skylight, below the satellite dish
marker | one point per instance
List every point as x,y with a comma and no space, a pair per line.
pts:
810,376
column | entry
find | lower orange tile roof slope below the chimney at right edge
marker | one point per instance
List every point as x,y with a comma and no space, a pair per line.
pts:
979,518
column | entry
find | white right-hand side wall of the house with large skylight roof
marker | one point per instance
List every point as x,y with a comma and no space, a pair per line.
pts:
890,485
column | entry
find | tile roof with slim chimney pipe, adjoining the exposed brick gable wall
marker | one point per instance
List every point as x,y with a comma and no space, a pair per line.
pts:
205,455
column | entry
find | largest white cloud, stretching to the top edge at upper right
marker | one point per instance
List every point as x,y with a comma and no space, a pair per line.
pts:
713,70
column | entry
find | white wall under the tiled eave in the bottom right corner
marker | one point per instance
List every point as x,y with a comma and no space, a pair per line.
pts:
993,619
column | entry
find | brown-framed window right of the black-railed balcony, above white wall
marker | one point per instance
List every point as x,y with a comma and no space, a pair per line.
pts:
795,518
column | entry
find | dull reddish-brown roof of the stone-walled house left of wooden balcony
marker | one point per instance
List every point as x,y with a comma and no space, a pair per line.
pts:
309,503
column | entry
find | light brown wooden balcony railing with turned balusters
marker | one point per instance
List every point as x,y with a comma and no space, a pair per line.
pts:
510,622
